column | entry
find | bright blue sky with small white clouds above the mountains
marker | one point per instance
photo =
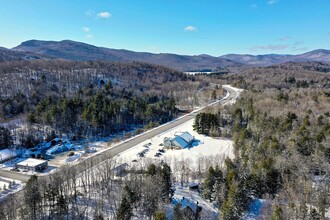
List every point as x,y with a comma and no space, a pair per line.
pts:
193,27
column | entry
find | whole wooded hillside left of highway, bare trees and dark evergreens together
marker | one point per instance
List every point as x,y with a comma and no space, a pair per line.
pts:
92,99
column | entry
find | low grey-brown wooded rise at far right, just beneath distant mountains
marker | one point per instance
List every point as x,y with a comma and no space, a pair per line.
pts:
283,76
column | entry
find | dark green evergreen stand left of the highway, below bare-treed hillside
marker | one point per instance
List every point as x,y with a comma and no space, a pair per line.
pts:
101,111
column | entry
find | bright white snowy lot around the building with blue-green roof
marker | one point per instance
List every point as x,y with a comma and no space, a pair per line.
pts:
204,147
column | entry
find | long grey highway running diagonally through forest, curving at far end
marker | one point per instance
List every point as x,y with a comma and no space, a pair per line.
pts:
112,151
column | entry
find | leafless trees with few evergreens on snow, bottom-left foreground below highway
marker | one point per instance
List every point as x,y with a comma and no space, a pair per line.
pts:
93,193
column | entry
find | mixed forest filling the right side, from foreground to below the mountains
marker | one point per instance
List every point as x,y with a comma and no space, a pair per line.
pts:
281,130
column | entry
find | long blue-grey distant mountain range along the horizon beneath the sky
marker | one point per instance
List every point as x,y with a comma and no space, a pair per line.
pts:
71,50
